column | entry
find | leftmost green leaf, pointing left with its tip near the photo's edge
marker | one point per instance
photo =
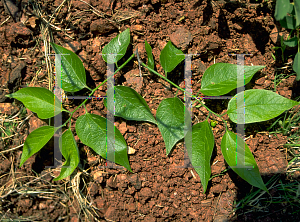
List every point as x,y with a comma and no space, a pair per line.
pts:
39,100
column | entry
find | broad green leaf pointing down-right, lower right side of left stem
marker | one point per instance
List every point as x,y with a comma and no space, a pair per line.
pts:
91,130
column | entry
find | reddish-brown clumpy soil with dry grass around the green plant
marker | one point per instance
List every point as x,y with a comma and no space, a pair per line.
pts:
160,188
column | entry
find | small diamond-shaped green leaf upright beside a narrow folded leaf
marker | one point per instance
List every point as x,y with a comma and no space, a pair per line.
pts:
170,57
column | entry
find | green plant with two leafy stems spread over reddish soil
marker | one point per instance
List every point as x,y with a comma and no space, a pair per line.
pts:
218,79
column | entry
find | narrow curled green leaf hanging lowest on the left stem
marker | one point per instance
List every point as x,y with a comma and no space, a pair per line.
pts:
70,152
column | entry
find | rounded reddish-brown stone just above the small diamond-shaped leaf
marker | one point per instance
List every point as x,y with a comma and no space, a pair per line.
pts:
181,38
